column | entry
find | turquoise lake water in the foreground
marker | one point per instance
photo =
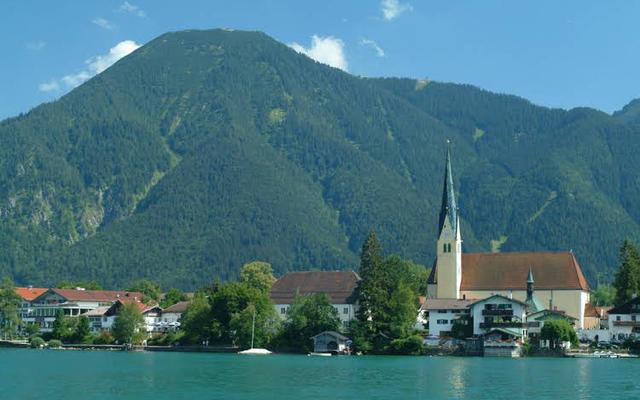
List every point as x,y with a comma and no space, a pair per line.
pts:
69,375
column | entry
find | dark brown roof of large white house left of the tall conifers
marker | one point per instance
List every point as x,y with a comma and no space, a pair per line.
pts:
340,286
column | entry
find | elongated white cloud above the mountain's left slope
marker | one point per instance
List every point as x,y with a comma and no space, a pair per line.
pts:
94,66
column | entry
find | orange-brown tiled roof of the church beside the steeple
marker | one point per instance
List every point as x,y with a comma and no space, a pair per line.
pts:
509,271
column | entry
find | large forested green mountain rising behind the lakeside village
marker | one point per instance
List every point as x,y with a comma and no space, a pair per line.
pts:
204,150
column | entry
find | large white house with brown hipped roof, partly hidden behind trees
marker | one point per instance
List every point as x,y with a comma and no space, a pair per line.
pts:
339,286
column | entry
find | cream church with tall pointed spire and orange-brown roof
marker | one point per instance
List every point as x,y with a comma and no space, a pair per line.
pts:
560,284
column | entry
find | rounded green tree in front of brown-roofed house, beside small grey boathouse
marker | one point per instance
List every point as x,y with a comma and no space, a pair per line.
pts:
308,316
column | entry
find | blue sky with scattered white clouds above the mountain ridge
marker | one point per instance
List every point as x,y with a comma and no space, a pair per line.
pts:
554,53
